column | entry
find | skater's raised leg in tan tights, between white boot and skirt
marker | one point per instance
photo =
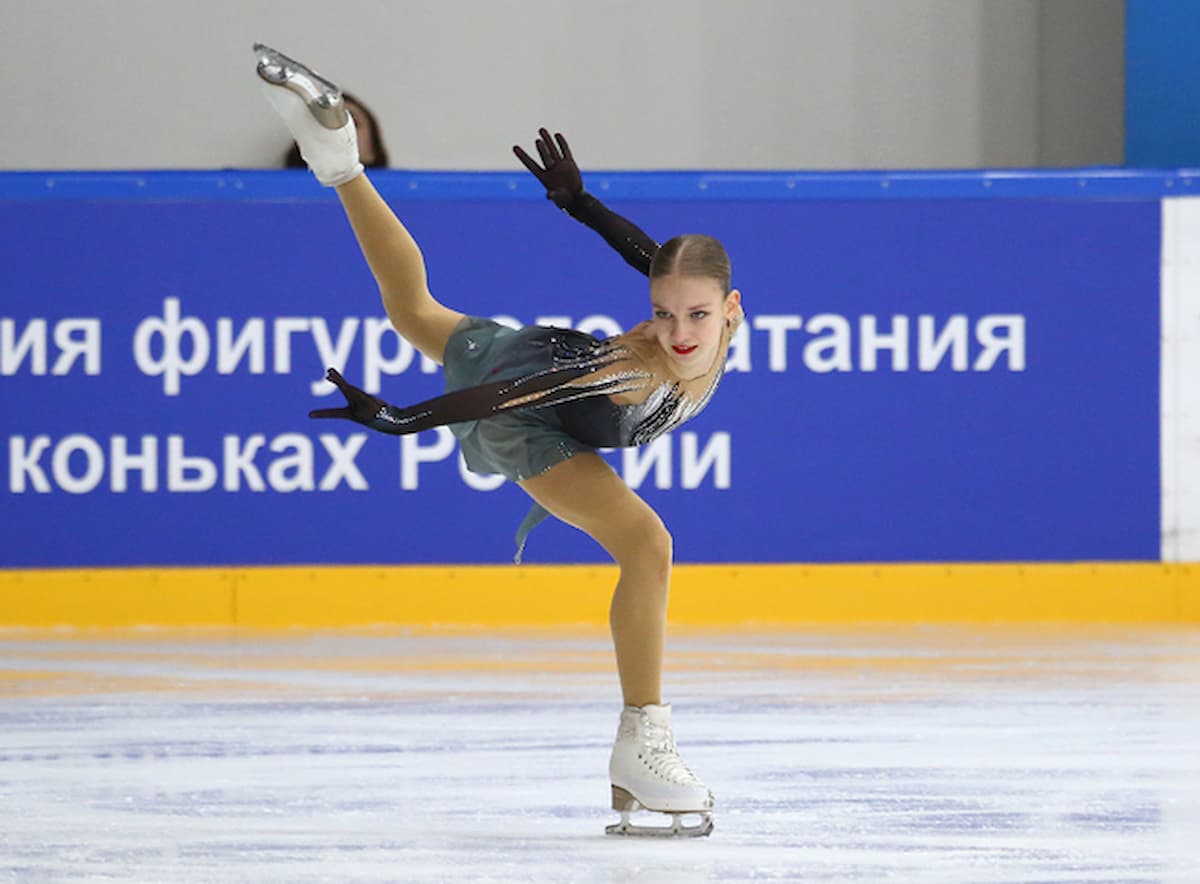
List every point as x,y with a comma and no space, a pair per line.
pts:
399,267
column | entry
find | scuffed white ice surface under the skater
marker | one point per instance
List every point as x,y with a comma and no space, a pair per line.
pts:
890,755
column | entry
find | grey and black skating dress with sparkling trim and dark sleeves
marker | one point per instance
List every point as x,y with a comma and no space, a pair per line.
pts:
521,401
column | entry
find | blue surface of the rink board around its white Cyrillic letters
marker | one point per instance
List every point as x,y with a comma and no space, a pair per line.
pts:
1058,461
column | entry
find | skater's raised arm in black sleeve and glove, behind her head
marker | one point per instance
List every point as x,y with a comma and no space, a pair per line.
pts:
561,177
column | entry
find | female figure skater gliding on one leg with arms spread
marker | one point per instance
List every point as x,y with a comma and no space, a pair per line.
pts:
535,405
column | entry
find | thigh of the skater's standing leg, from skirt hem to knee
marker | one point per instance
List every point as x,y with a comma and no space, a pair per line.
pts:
584,491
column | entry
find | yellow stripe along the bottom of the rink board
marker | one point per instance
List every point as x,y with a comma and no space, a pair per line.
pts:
542,596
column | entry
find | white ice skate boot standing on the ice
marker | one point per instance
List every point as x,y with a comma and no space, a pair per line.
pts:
647,774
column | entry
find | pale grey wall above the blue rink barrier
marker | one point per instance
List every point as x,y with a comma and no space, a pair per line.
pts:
673,85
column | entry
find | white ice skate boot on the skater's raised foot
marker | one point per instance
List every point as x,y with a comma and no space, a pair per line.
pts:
315,113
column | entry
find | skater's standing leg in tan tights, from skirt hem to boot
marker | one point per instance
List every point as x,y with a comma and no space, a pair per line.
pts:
586,492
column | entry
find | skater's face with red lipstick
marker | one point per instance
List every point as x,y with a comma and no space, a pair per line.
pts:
691,314
